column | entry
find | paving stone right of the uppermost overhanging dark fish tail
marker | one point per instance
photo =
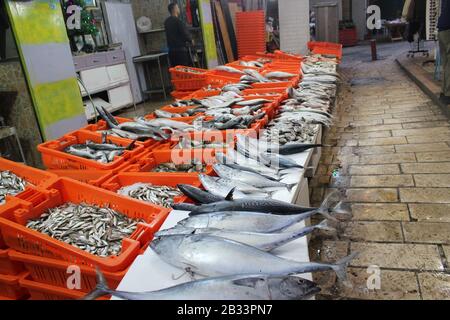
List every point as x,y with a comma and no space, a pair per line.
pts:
380,211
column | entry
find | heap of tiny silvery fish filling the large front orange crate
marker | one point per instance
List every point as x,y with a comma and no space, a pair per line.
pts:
97,230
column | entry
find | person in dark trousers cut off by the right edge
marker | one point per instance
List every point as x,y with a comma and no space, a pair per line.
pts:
444,44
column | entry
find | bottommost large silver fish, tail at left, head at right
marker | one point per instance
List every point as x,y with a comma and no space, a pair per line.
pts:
235,287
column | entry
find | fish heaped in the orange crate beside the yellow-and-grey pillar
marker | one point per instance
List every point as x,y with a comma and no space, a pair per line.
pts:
105,152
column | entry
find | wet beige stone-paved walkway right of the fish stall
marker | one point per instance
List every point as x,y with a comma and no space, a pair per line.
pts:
390,153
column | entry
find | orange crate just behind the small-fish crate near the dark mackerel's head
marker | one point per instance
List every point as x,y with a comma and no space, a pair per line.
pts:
153,158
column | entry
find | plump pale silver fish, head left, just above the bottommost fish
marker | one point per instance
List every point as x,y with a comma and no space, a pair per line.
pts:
213,256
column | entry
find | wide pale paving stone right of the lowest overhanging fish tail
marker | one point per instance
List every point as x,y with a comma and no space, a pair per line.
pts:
397,256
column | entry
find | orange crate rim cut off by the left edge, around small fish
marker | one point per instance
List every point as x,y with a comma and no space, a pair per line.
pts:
36,177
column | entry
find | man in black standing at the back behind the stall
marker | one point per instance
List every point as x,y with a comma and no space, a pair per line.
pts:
178,37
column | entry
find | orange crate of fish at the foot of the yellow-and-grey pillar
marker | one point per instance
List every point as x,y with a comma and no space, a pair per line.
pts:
54,157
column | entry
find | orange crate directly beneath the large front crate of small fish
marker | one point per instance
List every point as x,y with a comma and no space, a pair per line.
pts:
46,271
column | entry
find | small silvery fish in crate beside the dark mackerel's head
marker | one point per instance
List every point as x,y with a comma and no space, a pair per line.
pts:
159,195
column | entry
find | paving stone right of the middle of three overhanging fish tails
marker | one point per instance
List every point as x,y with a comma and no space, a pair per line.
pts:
373,231
